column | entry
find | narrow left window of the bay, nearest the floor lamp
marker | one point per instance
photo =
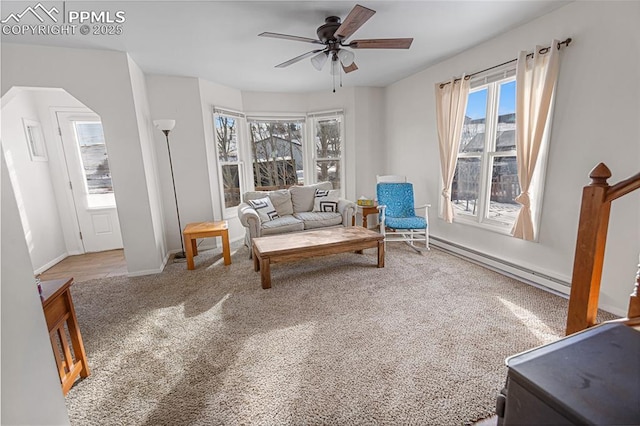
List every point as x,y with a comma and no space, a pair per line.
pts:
230,165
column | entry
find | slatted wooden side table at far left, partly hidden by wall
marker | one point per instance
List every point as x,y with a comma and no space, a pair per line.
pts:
58,311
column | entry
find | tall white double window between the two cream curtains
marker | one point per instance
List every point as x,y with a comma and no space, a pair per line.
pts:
485,183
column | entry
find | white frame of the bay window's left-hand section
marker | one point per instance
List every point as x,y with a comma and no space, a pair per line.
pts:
230,212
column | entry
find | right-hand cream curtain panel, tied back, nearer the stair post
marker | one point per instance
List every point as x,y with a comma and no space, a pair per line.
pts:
535,82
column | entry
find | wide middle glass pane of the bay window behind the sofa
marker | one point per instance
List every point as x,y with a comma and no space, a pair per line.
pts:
276,149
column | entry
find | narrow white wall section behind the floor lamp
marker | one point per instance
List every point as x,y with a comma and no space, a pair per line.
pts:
179,98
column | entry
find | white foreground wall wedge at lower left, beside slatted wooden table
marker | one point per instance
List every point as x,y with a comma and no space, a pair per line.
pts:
31,392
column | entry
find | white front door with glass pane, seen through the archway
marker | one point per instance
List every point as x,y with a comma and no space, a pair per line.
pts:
90,180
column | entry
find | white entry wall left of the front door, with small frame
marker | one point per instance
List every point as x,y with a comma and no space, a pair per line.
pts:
32,183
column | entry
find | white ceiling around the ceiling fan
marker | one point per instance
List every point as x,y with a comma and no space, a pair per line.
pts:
217,40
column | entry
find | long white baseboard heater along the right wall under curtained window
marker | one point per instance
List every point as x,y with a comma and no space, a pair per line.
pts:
537,279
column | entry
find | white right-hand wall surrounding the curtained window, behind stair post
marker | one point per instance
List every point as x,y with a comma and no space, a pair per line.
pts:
596,119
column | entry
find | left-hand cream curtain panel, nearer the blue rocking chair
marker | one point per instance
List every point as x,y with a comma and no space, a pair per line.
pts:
451,105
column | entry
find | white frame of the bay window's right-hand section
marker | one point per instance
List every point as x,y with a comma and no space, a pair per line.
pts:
313,119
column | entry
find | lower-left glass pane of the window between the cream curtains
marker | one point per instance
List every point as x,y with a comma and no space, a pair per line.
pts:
466,183
